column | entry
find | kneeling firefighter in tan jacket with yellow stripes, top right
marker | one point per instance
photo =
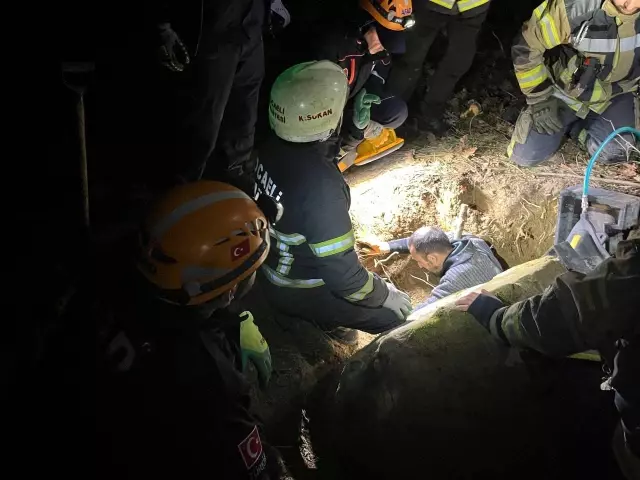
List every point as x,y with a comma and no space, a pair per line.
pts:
578,63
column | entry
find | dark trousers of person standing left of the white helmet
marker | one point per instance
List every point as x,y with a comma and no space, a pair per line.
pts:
217,110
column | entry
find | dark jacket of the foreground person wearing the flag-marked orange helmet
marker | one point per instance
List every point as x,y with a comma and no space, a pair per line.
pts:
172,402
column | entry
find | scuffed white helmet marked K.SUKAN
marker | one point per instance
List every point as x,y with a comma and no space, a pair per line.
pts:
307,101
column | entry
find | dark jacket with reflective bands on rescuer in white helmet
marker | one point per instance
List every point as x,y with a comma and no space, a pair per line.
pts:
312,244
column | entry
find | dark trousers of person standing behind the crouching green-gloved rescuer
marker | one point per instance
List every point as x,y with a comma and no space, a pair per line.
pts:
407,69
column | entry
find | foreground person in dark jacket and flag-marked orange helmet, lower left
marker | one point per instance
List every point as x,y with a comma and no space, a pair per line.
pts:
176,404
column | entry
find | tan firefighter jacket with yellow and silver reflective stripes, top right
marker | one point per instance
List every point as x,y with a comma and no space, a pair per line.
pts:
581,51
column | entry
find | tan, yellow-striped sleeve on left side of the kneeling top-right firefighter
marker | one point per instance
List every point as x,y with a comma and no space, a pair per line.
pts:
547,28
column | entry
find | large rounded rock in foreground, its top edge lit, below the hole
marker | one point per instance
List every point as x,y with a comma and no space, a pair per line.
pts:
441,397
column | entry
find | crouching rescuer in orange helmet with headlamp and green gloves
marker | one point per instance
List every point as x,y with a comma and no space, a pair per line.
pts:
362,46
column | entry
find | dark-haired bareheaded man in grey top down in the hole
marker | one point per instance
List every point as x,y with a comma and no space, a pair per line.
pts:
459,264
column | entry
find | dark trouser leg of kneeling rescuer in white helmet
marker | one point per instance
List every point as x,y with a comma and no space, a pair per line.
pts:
320,307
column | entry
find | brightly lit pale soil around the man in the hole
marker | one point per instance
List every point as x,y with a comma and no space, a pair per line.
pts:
512,207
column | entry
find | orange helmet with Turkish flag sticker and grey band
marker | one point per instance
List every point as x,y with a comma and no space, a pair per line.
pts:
200,240
